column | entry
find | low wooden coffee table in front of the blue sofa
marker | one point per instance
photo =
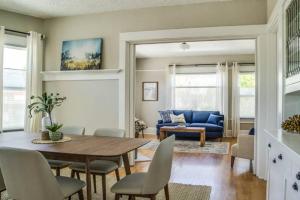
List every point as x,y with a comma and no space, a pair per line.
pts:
197,130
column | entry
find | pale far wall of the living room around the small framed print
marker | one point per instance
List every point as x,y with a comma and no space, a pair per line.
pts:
148,111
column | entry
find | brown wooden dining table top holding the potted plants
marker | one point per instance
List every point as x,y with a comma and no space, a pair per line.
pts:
79,145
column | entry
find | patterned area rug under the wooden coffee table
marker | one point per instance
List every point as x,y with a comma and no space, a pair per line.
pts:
185,146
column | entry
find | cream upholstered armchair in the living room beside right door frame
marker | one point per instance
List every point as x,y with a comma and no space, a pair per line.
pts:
244,148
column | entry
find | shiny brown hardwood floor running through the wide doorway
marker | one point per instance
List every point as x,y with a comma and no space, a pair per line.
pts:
213,170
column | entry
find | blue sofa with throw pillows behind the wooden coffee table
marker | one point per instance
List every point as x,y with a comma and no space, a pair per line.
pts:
196,119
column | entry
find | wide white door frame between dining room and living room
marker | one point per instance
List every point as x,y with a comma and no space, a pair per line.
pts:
127,64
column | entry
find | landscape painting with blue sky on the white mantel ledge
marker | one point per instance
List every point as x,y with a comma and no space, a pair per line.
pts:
85,54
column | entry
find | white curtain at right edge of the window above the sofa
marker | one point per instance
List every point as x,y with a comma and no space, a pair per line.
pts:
222,93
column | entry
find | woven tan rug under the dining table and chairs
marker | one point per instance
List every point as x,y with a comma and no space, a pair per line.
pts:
177,191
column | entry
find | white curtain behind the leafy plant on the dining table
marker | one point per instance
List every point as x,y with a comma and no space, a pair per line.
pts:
34,81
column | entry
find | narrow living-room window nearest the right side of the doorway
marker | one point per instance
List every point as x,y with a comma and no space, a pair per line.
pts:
247,94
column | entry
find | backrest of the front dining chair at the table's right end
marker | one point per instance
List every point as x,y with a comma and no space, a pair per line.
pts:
159,171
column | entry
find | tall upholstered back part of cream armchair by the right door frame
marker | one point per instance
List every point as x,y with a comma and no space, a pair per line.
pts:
246,146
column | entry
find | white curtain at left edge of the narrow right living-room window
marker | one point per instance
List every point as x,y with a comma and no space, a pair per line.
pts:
235,121
